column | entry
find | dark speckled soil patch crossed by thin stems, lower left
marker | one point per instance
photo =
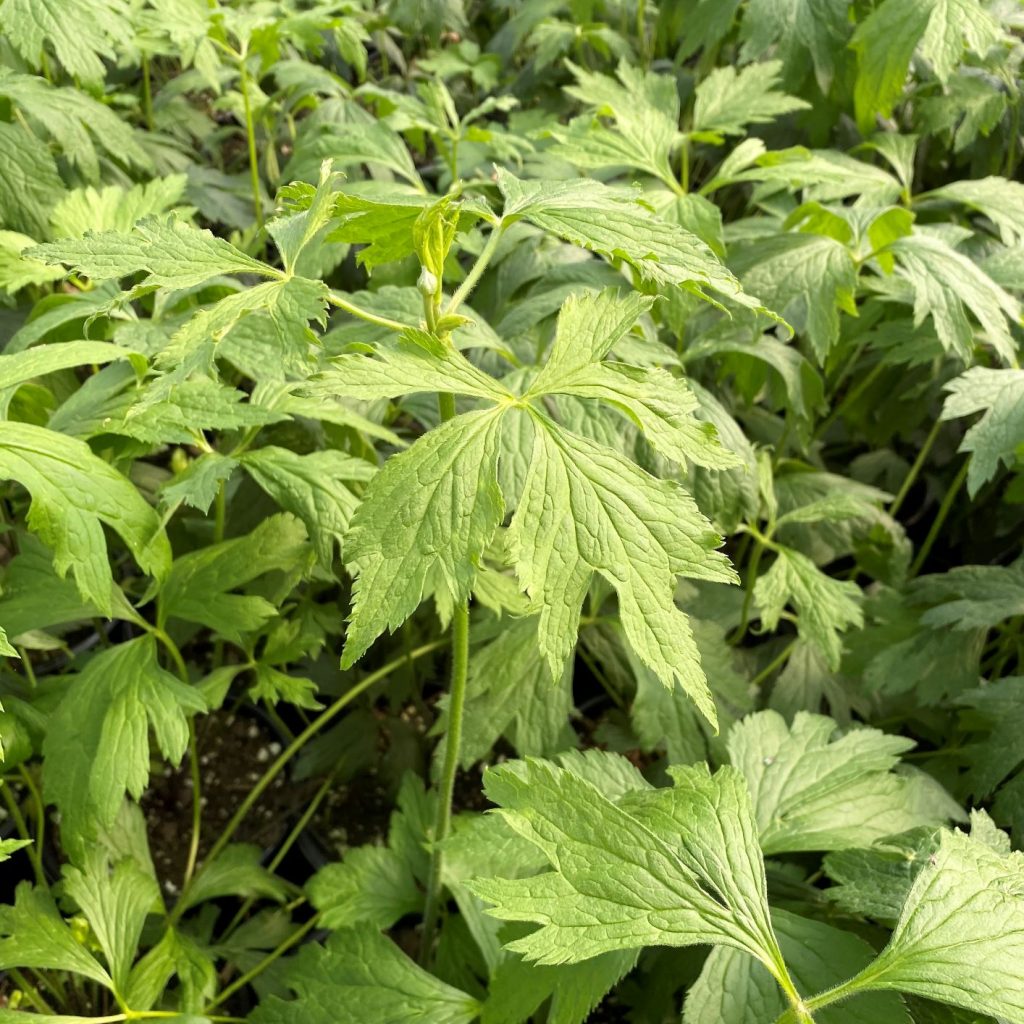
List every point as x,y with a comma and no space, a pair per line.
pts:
235,751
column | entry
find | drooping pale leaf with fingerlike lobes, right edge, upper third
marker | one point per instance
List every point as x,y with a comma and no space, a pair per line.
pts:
946,286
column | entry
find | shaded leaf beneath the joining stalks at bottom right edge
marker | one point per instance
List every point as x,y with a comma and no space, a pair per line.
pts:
734,989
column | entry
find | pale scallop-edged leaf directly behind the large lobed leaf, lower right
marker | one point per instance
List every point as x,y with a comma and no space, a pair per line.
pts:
816,791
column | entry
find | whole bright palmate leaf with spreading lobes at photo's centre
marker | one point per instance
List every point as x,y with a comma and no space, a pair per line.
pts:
432,513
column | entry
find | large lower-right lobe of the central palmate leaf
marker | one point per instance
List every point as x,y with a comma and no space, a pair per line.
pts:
637,532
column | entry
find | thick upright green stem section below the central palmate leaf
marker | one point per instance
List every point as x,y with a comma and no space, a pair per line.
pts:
453,744
